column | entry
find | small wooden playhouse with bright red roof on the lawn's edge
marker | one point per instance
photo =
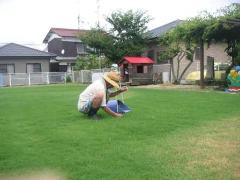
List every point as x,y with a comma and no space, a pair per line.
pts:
136,70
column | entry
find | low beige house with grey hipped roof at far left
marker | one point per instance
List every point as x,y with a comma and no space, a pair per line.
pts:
15,58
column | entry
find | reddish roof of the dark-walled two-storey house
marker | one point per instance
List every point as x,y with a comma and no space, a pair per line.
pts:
63,32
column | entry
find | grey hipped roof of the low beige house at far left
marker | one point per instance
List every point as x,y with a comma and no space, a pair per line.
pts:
16,50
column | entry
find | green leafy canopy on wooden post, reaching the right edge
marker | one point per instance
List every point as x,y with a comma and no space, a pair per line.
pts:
206,28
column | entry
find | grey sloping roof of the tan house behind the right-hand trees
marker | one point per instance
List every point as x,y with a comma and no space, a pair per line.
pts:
159,31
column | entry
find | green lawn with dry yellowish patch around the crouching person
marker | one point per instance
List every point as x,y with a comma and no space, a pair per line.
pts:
170,134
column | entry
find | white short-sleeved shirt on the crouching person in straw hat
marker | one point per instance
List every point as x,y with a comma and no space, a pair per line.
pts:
90,92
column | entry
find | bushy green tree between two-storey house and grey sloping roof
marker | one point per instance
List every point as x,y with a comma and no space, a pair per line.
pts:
126,36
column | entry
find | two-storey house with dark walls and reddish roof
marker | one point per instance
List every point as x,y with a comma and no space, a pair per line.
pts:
66,44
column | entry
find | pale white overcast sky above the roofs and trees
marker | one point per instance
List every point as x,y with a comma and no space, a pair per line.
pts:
27,22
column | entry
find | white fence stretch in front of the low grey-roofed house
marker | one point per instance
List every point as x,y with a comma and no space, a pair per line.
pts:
28,79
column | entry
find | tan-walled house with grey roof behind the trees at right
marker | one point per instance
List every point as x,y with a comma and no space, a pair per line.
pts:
213,55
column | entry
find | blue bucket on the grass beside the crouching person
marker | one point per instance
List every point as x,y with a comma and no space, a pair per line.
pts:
118,106
